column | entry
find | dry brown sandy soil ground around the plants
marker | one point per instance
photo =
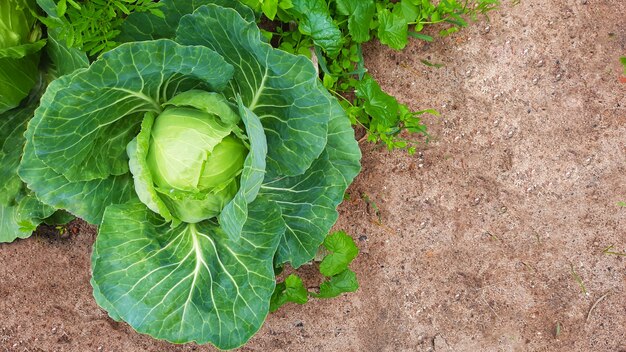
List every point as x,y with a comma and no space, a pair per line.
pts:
482,236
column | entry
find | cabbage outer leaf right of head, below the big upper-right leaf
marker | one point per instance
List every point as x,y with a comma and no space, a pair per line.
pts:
309,201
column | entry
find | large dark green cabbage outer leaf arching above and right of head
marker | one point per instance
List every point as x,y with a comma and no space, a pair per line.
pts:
278,87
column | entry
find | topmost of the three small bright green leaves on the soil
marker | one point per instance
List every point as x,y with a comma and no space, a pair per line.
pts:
343,252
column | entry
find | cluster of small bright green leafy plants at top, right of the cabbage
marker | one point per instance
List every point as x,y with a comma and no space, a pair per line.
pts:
336,30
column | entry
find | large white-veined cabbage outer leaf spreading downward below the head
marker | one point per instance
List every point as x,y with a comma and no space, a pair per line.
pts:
188,283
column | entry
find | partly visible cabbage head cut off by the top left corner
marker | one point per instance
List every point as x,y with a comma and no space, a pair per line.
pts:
20,43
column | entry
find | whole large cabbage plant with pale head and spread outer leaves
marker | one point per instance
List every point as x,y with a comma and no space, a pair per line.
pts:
208,159
